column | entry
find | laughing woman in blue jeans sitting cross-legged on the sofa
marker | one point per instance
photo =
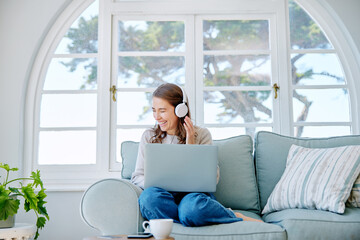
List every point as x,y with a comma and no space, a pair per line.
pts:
189,209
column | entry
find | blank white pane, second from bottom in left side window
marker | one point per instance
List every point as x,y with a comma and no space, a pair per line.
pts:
68,110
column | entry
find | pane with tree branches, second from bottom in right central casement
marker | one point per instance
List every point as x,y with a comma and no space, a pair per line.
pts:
237,106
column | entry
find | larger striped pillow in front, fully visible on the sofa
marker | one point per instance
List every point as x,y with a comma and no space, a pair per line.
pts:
316,178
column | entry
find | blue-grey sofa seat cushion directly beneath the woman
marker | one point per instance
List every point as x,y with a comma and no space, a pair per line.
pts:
230,231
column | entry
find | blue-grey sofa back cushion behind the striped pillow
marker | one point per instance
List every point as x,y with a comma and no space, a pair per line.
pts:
271,152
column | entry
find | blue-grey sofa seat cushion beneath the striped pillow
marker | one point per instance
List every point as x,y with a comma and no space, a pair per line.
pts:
317,224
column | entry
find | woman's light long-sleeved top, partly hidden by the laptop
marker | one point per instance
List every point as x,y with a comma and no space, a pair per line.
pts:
203,137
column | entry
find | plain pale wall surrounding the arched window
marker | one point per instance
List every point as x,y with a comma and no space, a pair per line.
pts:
23,25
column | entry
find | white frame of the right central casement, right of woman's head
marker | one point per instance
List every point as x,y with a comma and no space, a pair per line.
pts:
272,52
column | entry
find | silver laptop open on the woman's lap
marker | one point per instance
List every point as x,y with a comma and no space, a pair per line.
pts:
181,167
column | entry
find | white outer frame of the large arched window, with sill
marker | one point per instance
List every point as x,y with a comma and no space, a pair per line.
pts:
76,178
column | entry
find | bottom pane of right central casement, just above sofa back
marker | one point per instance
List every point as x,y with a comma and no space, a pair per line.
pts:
226,132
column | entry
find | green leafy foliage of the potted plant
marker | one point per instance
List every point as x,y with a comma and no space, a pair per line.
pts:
11,190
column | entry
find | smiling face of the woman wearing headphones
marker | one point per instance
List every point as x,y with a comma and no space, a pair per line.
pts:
164,114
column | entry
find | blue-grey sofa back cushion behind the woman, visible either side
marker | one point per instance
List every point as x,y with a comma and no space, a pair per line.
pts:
237,187
